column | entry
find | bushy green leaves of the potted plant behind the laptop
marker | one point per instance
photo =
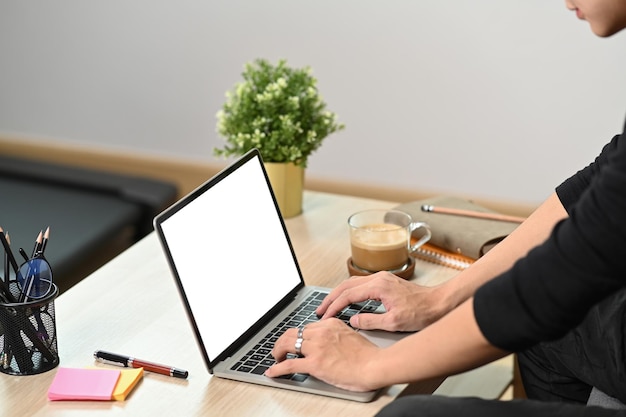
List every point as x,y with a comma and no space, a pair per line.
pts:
276,109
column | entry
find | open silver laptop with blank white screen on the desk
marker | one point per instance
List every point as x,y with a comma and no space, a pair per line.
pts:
237,274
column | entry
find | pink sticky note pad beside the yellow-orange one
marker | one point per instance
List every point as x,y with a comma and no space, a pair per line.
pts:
83,384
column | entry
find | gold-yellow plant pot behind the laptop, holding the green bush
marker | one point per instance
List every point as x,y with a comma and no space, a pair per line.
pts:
287,181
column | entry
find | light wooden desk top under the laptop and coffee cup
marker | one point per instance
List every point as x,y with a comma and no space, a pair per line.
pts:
131,306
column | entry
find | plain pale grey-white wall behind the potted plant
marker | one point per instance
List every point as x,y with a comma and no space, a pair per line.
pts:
493,98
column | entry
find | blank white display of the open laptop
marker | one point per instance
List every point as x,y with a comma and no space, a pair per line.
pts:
231,255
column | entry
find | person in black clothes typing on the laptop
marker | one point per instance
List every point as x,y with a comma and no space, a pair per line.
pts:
561,269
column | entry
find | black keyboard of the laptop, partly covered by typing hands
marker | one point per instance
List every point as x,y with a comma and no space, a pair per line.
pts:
258,359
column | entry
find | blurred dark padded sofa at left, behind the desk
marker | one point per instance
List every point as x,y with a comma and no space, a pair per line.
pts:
92,214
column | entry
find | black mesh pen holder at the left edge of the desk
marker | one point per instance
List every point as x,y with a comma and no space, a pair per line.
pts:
28,337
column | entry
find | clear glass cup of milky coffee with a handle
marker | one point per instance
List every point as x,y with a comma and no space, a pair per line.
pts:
380,240
